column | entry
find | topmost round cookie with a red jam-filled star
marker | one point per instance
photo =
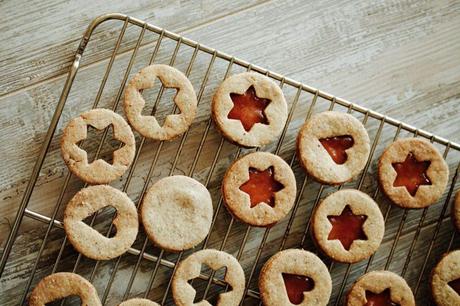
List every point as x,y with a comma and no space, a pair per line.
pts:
249,109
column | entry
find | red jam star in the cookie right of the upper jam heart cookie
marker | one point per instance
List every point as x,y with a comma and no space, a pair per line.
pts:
411,174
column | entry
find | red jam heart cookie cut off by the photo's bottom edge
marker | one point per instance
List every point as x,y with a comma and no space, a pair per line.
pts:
295,277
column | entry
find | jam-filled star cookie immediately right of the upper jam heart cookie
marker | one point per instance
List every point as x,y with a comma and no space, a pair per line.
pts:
412,173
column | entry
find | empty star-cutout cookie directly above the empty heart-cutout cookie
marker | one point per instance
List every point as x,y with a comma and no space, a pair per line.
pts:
99,171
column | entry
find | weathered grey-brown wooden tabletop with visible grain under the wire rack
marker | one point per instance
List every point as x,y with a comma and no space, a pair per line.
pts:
399,58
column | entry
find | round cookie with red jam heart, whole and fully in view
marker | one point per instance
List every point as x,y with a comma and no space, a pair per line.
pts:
333,147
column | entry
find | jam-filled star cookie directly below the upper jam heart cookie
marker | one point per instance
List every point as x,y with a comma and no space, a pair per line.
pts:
348,226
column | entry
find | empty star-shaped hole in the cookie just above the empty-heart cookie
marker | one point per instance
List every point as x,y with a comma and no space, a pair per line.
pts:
93,138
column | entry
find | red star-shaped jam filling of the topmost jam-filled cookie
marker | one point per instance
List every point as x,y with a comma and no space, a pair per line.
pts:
248,108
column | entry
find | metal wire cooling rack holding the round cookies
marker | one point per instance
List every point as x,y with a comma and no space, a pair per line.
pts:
414,239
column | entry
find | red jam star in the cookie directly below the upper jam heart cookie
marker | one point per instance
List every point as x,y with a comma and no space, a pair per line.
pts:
347,227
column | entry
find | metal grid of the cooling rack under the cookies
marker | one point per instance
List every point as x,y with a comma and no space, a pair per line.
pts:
431,219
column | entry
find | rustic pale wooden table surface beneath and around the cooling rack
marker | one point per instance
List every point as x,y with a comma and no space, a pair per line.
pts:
400,58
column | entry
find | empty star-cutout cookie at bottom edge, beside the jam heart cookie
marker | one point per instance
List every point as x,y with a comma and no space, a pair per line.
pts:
190,268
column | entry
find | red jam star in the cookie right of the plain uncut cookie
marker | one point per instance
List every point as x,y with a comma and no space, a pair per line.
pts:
261,186
